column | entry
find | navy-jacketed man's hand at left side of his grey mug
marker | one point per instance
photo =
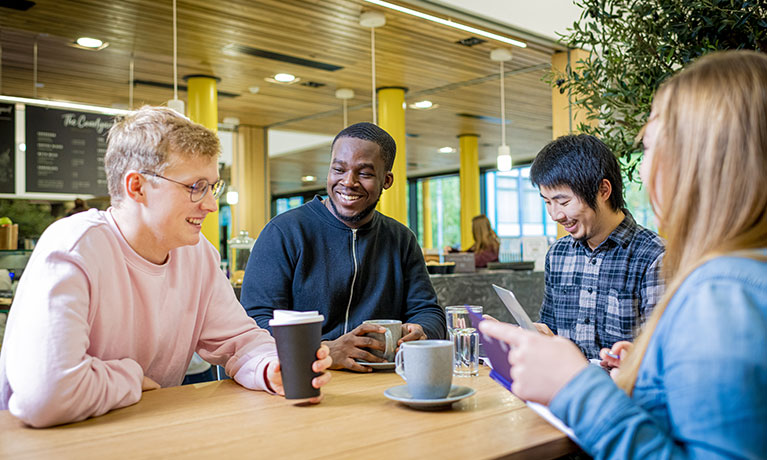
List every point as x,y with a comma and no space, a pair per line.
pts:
350,347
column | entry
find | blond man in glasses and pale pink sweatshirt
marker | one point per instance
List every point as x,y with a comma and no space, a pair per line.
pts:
113,303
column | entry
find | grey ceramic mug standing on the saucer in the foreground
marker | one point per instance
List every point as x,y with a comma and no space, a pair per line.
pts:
427,367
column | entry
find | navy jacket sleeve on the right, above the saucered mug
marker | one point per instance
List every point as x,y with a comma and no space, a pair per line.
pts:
422,306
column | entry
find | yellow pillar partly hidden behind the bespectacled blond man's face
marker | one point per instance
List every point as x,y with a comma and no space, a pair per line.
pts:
203,109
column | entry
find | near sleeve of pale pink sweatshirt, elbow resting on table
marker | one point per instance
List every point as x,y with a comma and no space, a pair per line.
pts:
51,377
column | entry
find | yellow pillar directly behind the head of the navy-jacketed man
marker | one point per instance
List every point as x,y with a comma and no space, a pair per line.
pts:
391,118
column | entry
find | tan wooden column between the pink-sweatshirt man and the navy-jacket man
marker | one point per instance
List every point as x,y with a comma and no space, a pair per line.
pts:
250,176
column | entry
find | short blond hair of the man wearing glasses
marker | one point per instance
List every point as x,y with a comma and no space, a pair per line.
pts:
144,140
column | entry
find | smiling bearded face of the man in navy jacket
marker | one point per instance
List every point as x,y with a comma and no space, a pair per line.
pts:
356,178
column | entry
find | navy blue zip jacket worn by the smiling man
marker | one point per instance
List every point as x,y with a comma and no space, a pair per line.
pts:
306,259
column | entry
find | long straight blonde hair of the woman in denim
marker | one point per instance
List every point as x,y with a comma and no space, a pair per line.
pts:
709,166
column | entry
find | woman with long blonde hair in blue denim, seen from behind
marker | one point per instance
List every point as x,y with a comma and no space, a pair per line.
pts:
694,385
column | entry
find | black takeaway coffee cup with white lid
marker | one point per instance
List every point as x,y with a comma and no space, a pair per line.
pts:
298,335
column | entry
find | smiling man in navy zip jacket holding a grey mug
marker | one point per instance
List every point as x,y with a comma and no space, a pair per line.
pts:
342,257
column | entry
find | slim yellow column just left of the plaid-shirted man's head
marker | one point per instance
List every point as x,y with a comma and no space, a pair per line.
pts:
469,178
